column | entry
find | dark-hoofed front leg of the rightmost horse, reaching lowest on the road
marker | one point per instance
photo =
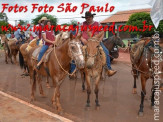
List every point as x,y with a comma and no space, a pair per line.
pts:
143,93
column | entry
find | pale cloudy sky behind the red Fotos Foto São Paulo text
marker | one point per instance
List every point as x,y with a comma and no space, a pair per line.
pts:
120,5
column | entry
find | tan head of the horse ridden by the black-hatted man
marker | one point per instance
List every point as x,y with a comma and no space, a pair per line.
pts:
92,49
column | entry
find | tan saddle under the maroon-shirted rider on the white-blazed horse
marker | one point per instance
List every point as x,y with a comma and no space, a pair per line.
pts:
45,56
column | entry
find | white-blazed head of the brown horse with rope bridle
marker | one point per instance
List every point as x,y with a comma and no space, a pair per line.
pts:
75,49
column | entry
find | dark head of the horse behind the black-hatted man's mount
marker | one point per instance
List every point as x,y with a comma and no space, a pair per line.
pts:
118,41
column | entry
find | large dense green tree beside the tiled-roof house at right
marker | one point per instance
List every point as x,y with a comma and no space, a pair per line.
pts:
137,20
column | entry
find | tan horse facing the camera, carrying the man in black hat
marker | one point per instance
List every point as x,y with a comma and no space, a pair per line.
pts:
94,61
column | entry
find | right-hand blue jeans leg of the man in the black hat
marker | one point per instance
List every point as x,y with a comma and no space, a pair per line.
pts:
106,51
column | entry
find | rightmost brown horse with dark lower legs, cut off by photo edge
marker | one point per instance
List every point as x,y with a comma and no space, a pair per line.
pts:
145,67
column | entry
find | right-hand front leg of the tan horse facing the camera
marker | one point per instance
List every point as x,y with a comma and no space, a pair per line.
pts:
96,91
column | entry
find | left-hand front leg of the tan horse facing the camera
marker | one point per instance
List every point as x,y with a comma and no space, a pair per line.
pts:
88,90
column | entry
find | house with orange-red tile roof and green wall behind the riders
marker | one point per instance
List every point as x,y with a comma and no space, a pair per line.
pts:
120,18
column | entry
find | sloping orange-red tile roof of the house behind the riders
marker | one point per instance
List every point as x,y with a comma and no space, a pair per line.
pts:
123,16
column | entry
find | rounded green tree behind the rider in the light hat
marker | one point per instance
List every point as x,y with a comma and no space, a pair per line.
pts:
53,19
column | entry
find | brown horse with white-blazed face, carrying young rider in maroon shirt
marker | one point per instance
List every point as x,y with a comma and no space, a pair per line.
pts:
57,66
